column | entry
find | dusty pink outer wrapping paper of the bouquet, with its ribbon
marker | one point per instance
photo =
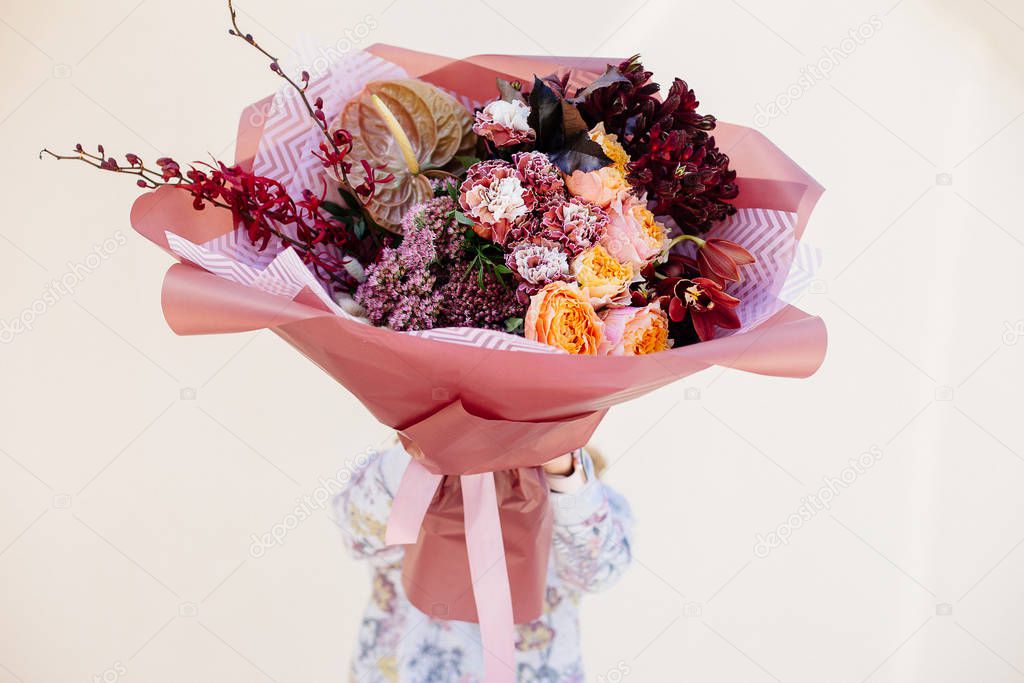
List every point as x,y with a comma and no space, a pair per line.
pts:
475,510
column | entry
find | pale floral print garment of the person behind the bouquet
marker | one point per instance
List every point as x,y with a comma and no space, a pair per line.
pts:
398,643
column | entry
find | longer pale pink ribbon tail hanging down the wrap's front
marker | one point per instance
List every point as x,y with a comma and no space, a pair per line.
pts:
489,573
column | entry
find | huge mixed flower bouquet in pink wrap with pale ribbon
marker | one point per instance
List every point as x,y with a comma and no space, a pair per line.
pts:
449,239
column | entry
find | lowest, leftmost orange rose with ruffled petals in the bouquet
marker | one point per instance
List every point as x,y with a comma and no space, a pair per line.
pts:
561,316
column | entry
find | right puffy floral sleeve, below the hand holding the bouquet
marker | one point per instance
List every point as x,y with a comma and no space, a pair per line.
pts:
592,534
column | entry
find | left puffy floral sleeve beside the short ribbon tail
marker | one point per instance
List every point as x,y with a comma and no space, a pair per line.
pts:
362,509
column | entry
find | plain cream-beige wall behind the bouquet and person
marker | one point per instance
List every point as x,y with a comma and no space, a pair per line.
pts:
137,465
